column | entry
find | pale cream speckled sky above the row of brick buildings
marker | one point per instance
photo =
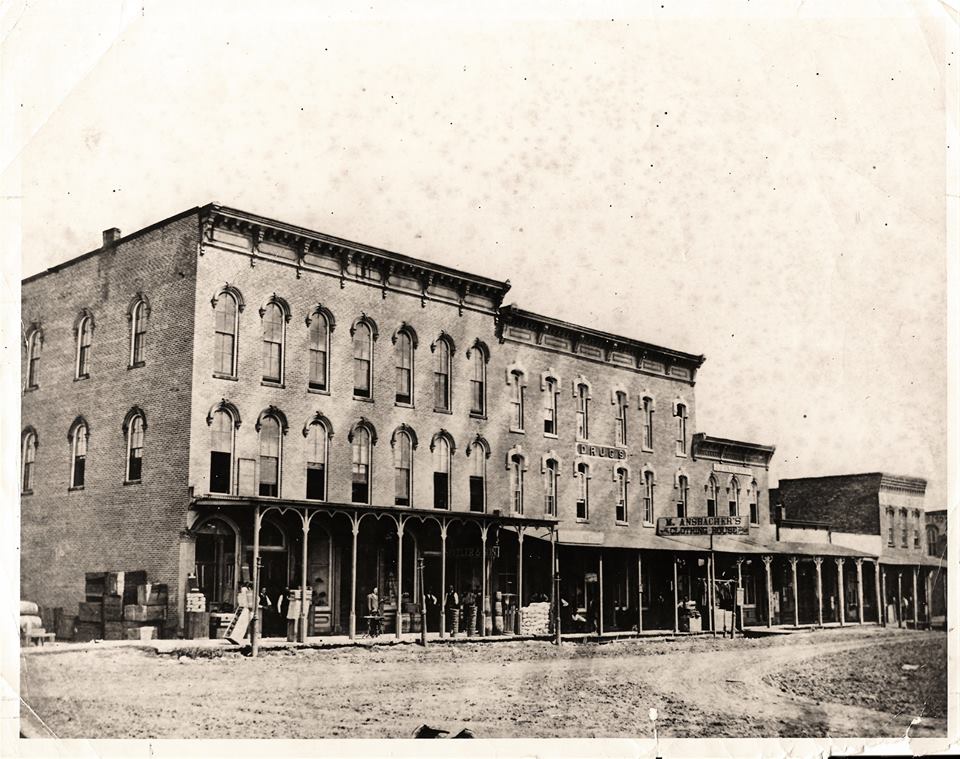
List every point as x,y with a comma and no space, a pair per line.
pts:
763,185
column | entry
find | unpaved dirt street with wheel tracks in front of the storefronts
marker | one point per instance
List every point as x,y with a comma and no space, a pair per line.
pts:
838,683
